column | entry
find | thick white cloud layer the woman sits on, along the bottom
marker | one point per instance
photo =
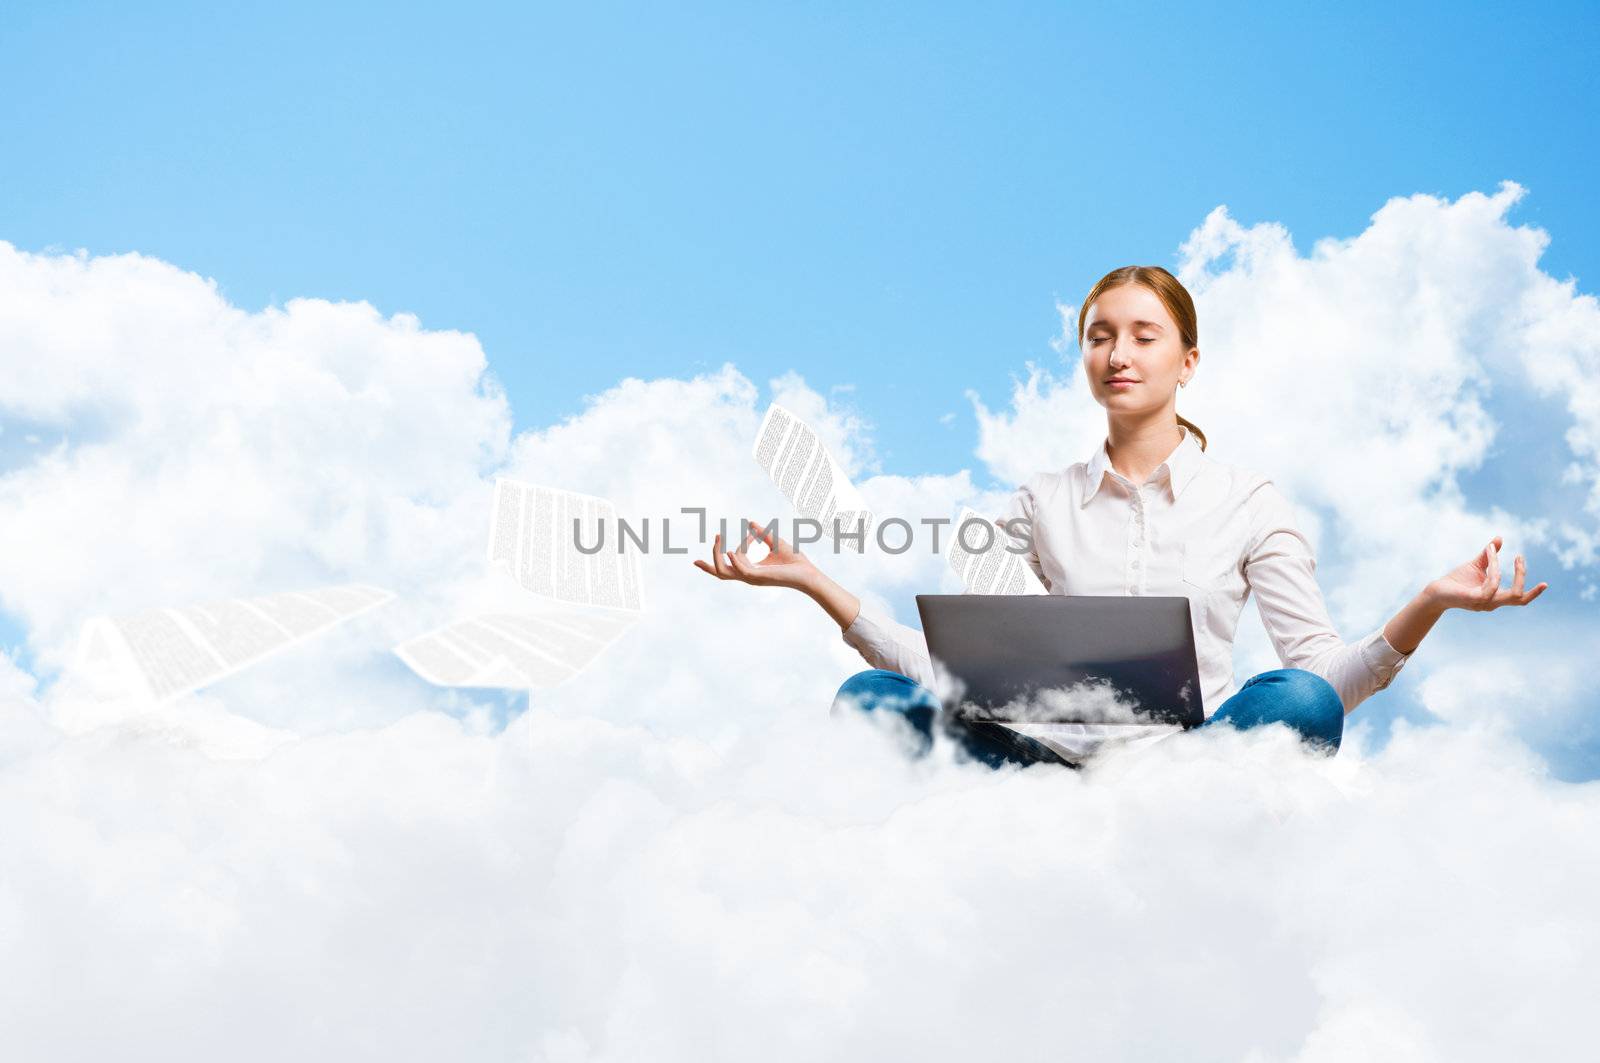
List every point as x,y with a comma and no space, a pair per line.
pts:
575,884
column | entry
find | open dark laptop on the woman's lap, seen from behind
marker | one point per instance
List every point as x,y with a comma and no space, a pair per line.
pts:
1106,662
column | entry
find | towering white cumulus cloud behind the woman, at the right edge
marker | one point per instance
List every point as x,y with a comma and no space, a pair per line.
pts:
1374,380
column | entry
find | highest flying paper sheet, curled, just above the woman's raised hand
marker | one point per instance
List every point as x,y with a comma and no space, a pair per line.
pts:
798,462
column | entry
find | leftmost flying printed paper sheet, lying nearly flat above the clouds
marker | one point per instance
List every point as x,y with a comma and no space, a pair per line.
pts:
169,652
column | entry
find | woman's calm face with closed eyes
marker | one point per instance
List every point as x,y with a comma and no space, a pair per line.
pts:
1130,335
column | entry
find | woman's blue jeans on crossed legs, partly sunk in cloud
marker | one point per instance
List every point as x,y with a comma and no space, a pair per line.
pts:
1287,696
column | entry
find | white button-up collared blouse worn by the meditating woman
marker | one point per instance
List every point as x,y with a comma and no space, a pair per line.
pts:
1204,529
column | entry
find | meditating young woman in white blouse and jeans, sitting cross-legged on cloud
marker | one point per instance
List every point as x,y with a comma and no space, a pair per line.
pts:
1150,513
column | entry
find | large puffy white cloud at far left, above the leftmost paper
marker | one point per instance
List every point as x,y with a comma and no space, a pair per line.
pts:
210,452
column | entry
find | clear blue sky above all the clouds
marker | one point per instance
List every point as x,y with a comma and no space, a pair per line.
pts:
886,198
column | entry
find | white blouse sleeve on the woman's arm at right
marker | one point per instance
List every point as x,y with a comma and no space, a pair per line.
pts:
1281,571
